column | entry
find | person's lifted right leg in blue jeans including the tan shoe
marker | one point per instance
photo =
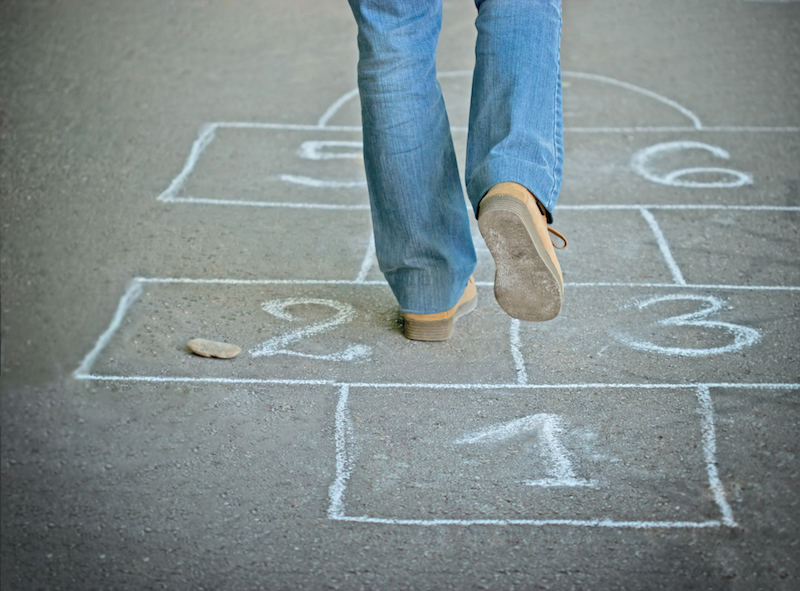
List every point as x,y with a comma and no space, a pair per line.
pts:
515,150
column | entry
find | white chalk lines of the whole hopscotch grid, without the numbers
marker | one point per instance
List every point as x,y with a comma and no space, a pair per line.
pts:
343,437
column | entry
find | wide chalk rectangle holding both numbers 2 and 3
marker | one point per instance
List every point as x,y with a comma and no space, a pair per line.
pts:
306,330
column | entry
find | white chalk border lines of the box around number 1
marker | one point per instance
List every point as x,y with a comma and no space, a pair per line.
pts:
345,446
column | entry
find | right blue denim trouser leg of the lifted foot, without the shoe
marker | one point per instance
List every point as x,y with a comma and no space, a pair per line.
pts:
515,124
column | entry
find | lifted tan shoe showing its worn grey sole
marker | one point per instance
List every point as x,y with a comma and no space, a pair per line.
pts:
527,284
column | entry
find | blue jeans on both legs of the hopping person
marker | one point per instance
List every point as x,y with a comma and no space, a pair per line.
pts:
421,224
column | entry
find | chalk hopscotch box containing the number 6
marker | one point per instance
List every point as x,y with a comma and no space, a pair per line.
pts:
599,168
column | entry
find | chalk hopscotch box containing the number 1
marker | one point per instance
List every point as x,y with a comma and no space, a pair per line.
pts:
635,457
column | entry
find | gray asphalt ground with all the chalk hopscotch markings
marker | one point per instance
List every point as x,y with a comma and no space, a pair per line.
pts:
645,439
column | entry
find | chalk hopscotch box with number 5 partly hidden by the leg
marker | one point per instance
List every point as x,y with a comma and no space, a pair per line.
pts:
264,163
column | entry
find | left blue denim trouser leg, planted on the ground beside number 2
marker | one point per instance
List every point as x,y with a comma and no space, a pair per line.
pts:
419,214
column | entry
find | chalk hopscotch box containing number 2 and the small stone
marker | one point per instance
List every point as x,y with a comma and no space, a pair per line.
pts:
295,331
